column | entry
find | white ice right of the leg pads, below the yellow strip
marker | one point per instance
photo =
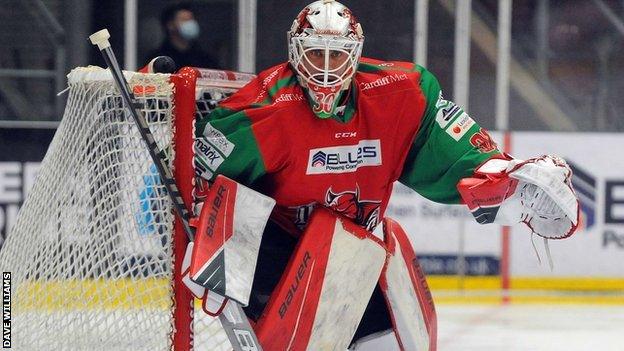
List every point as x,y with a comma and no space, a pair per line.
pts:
527,328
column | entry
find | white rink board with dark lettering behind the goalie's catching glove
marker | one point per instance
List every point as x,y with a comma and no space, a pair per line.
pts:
591,257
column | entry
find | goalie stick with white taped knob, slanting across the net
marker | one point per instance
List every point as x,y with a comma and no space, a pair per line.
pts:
239,331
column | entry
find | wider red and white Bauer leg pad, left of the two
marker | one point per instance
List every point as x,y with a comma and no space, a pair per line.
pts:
324,291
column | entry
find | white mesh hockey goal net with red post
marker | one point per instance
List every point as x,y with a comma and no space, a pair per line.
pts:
93,252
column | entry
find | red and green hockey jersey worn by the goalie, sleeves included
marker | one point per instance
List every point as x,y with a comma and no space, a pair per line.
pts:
396,126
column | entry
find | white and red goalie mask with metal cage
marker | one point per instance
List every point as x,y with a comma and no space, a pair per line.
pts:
324,47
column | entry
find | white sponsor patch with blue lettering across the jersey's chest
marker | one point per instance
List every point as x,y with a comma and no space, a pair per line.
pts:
344,159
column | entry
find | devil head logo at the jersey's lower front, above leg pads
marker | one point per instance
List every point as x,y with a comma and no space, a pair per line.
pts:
348,203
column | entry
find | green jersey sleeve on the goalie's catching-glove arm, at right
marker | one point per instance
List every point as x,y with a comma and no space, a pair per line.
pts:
449,146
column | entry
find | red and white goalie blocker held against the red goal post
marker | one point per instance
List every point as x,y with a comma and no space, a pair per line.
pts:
222,260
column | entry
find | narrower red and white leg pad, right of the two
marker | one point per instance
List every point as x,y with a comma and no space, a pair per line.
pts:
407,294
